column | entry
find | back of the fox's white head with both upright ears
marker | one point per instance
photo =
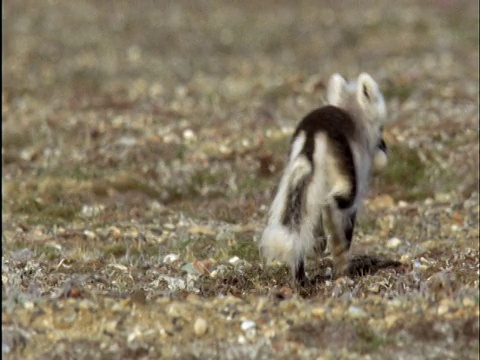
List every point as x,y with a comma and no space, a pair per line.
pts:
362,98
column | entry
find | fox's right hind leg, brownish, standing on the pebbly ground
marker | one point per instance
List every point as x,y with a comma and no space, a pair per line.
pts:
341,224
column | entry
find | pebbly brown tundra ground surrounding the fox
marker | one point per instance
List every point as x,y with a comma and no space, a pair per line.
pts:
141,146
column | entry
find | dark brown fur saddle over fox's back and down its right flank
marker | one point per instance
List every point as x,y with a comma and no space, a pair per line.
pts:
339,127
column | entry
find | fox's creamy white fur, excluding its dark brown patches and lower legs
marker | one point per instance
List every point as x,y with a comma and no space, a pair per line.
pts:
364,101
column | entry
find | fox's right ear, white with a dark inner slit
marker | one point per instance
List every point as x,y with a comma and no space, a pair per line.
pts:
370,97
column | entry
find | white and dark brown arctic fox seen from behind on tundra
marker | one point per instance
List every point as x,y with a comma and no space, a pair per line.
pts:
332,153
